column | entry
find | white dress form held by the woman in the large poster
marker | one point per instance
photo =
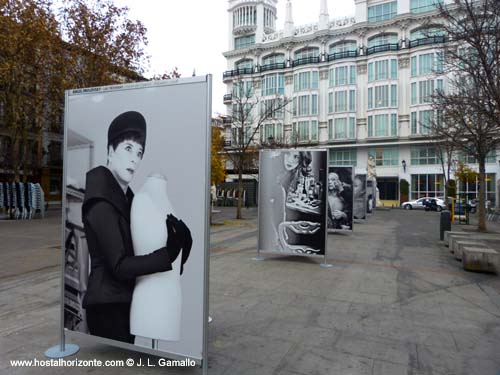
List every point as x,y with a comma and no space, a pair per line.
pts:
157,300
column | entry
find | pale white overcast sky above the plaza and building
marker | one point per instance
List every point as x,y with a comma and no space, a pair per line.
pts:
193,34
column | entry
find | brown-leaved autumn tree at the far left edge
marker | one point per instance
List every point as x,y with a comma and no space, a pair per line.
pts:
31,83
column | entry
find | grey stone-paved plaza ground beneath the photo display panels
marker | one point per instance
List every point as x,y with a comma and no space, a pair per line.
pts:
395,302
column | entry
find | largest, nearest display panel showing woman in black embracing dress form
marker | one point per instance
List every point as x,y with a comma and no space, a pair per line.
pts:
134,275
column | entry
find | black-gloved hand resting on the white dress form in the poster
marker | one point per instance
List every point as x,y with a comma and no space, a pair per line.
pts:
179,237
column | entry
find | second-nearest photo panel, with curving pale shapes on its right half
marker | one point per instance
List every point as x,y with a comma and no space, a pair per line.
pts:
292,194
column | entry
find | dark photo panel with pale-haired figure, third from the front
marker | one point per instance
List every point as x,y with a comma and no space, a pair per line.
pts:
340,198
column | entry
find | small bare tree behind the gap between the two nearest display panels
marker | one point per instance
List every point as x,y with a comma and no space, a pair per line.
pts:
249,114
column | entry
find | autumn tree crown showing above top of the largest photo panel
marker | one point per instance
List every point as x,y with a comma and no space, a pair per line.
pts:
104,45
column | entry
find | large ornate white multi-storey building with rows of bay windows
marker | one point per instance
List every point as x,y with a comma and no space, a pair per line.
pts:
359,86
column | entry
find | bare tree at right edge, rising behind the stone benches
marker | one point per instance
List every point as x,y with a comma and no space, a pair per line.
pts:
471,105
